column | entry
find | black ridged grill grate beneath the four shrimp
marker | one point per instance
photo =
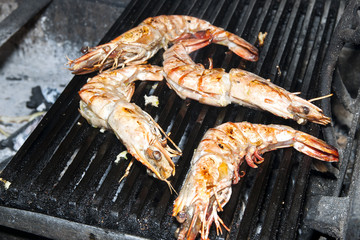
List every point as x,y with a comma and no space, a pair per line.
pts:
66,175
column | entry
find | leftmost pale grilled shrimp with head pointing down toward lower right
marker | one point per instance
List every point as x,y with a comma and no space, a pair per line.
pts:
105,103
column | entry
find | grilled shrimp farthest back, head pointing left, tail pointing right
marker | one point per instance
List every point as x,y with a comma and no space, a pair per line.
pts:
139,44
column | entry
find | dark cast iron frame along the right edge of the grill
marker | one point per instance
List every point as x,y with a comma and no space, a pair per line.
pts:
342,221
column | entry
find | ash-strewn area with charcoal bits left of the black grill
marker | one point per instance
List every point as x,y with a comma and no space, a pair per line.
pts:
32,56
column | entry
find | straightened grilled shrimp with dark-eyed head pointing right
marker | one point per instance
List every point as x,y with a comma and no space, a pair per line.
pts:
219,88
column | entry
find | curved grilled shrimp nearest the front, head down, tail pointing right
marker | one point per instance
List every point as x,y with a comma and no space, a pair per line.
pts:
215,164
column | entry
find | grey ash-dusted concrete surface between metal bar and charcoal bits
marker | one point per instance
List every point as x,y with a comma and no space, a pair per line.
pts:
36,55
